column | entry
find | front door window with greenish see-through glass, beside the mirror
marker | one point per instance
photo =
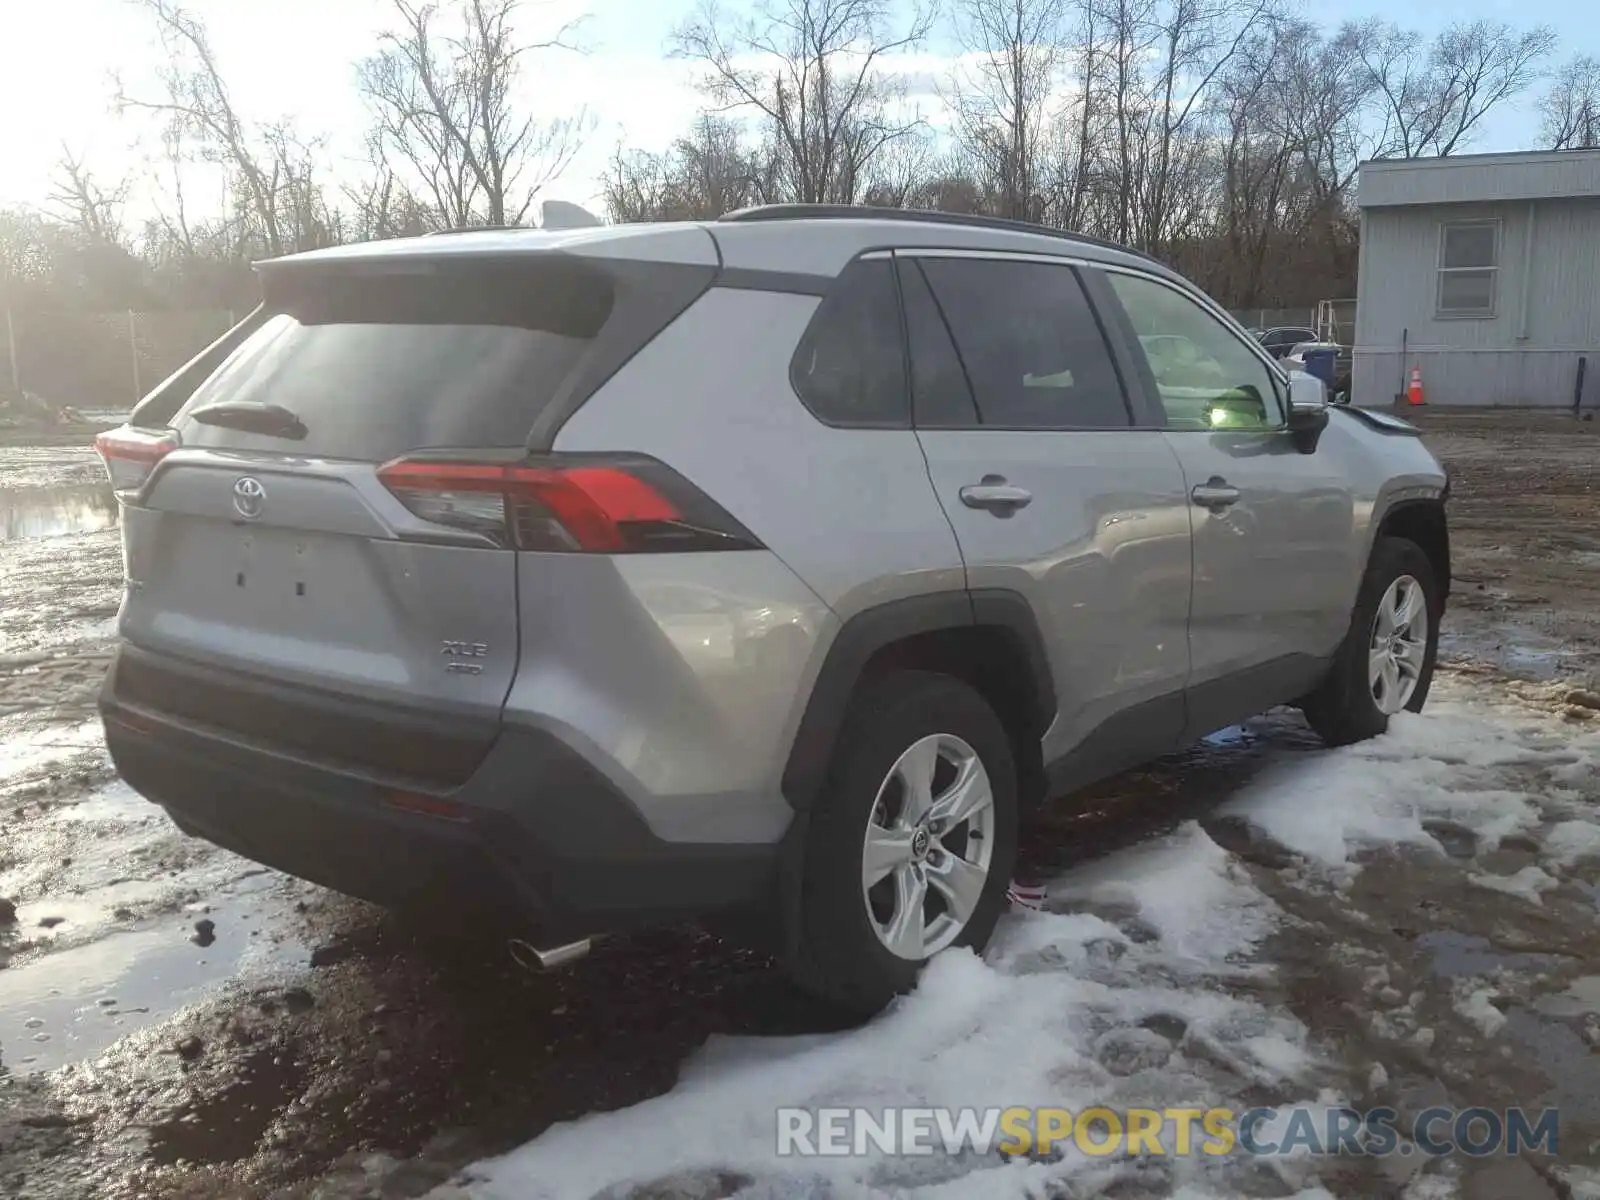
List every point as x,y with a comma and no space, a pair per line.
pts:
1206,375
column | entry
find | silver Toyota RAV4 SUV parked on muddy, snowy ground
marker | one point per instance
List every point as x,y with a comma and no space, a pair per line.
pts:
766,569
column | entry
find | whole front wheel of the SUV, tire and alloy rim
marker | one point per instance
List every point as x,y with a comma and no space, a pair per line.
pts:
1386,662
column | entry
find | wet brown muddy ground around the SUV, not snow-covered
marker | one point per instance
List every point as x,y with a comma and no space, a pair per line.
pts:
180,1023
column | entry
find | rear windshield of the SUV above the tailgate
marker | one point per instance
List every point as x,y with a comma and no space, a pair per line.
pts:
380,362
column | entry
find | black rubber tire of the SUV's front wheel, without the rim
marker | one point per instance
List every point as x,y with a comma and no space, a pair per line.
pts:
1346,708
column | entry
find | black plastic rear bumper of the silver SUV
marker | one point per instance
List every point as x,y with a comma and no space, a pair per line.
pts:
535,838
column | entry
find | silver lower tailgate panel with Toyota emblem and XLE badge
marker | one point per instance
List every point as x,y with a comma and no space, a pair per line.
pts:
326,588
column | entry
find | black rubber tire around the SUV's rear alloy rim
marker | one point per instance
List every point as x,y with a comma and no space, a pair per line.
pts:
841,954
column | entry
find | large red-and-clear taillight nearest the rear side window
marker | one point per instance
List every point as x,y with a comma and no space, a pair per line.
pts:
578,505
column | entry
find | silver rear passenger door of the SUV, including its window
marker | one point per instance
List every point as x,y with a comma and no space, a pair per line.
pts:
1057,490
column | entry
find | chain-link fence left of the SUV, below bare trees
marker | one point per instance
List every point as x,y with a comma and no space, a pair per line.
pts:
94,362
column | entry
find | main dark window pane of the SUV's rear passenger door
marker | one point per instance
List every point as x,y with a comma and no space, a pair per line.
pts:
1030,343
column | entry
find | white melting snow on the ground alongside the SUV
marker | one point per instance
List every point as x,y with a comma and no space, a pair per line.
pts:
1134,990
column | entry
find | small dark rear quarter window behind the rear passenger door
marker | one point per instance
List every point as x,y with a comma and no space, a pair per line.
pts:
850,366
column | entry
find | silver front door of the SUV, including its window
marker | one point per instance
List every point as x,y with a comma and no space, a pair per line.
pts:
1273,550
